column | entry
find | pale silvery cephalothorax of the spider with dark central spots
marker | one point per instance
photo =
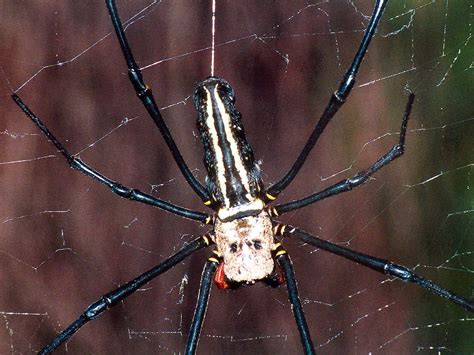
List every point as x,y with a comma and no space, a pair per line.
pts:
245,244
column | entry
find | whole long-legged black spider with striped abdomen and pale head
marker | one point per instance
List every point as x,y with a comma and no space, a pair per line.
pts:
244,219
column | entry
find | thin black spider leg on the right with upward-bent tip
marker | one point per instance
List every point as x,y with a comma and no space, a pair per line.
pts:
359,178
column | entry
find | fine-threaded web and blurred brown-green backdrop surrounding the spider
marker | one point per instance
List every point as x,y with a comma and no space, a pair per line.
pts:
66,240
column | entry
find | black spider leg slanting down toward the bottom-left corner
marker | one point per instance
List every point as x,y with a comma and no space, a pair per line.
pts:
112,298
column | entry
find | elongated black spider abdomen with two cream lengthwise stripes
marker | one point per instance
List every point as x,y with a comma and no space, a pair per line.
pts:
233,175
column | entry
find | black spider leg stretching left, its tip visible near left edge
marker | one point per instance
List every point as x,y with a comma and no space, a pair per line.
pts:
117,188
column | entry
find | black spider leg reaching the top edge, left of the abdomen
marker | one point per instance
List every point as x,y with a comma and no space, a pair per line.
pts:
146,96
